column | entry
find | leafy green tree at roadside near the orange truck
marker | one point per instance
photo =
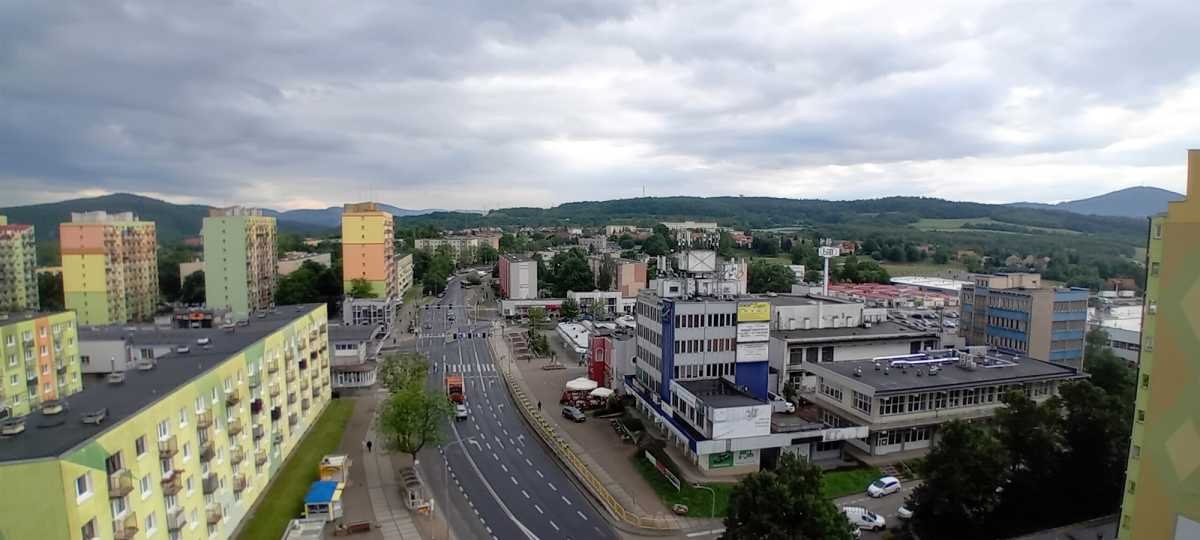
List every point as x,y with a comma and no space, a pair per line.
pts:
413,418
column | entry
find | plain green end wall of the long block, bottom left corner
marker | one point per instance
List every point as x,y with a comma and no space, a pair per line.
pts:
35,507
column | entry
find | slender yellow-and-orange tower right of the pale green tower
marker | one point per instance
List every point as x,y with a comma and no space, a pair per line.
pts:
369,249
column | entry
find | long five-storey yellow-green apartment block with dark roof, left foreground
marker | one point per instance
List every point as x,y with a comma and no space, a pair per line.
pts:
181,447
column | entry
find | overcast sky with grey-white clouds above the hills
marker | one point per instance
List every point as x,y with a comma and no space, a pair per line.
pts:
464,105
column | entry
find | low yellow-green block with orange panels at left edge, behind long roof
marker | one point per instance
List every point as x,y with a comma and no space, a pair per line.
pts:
41,361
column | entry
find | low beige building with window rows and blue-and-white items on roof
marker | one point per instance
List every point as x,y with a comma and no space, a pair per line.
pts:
903,400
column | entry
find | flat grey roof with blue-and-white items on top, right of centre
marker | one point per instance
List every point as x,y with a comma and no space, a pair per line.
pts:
1011,369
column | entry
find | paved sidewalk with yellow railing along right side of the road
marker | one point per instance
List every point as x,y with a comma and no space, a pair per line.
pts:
599,449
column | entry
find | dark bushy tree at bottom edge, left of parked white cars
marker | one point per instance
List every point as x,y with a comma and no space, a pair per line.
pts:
757,513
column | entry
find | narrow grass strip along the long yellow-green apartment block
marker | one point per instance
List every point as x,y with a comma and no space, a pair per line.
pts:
285,499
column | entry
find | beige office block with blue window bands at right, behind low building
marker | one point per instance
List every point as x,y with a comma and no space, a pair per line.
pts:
1015,313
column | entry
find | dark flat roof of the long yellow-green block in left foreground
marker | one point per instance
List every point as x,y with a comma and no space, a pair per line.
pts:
53,436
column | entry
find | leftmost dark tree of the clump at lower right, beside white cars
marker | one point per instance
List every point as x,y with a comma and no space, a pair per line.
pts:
961,493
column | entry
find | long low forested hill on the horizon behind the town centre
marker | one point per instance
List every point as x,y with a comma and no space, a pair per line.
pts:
767,213
